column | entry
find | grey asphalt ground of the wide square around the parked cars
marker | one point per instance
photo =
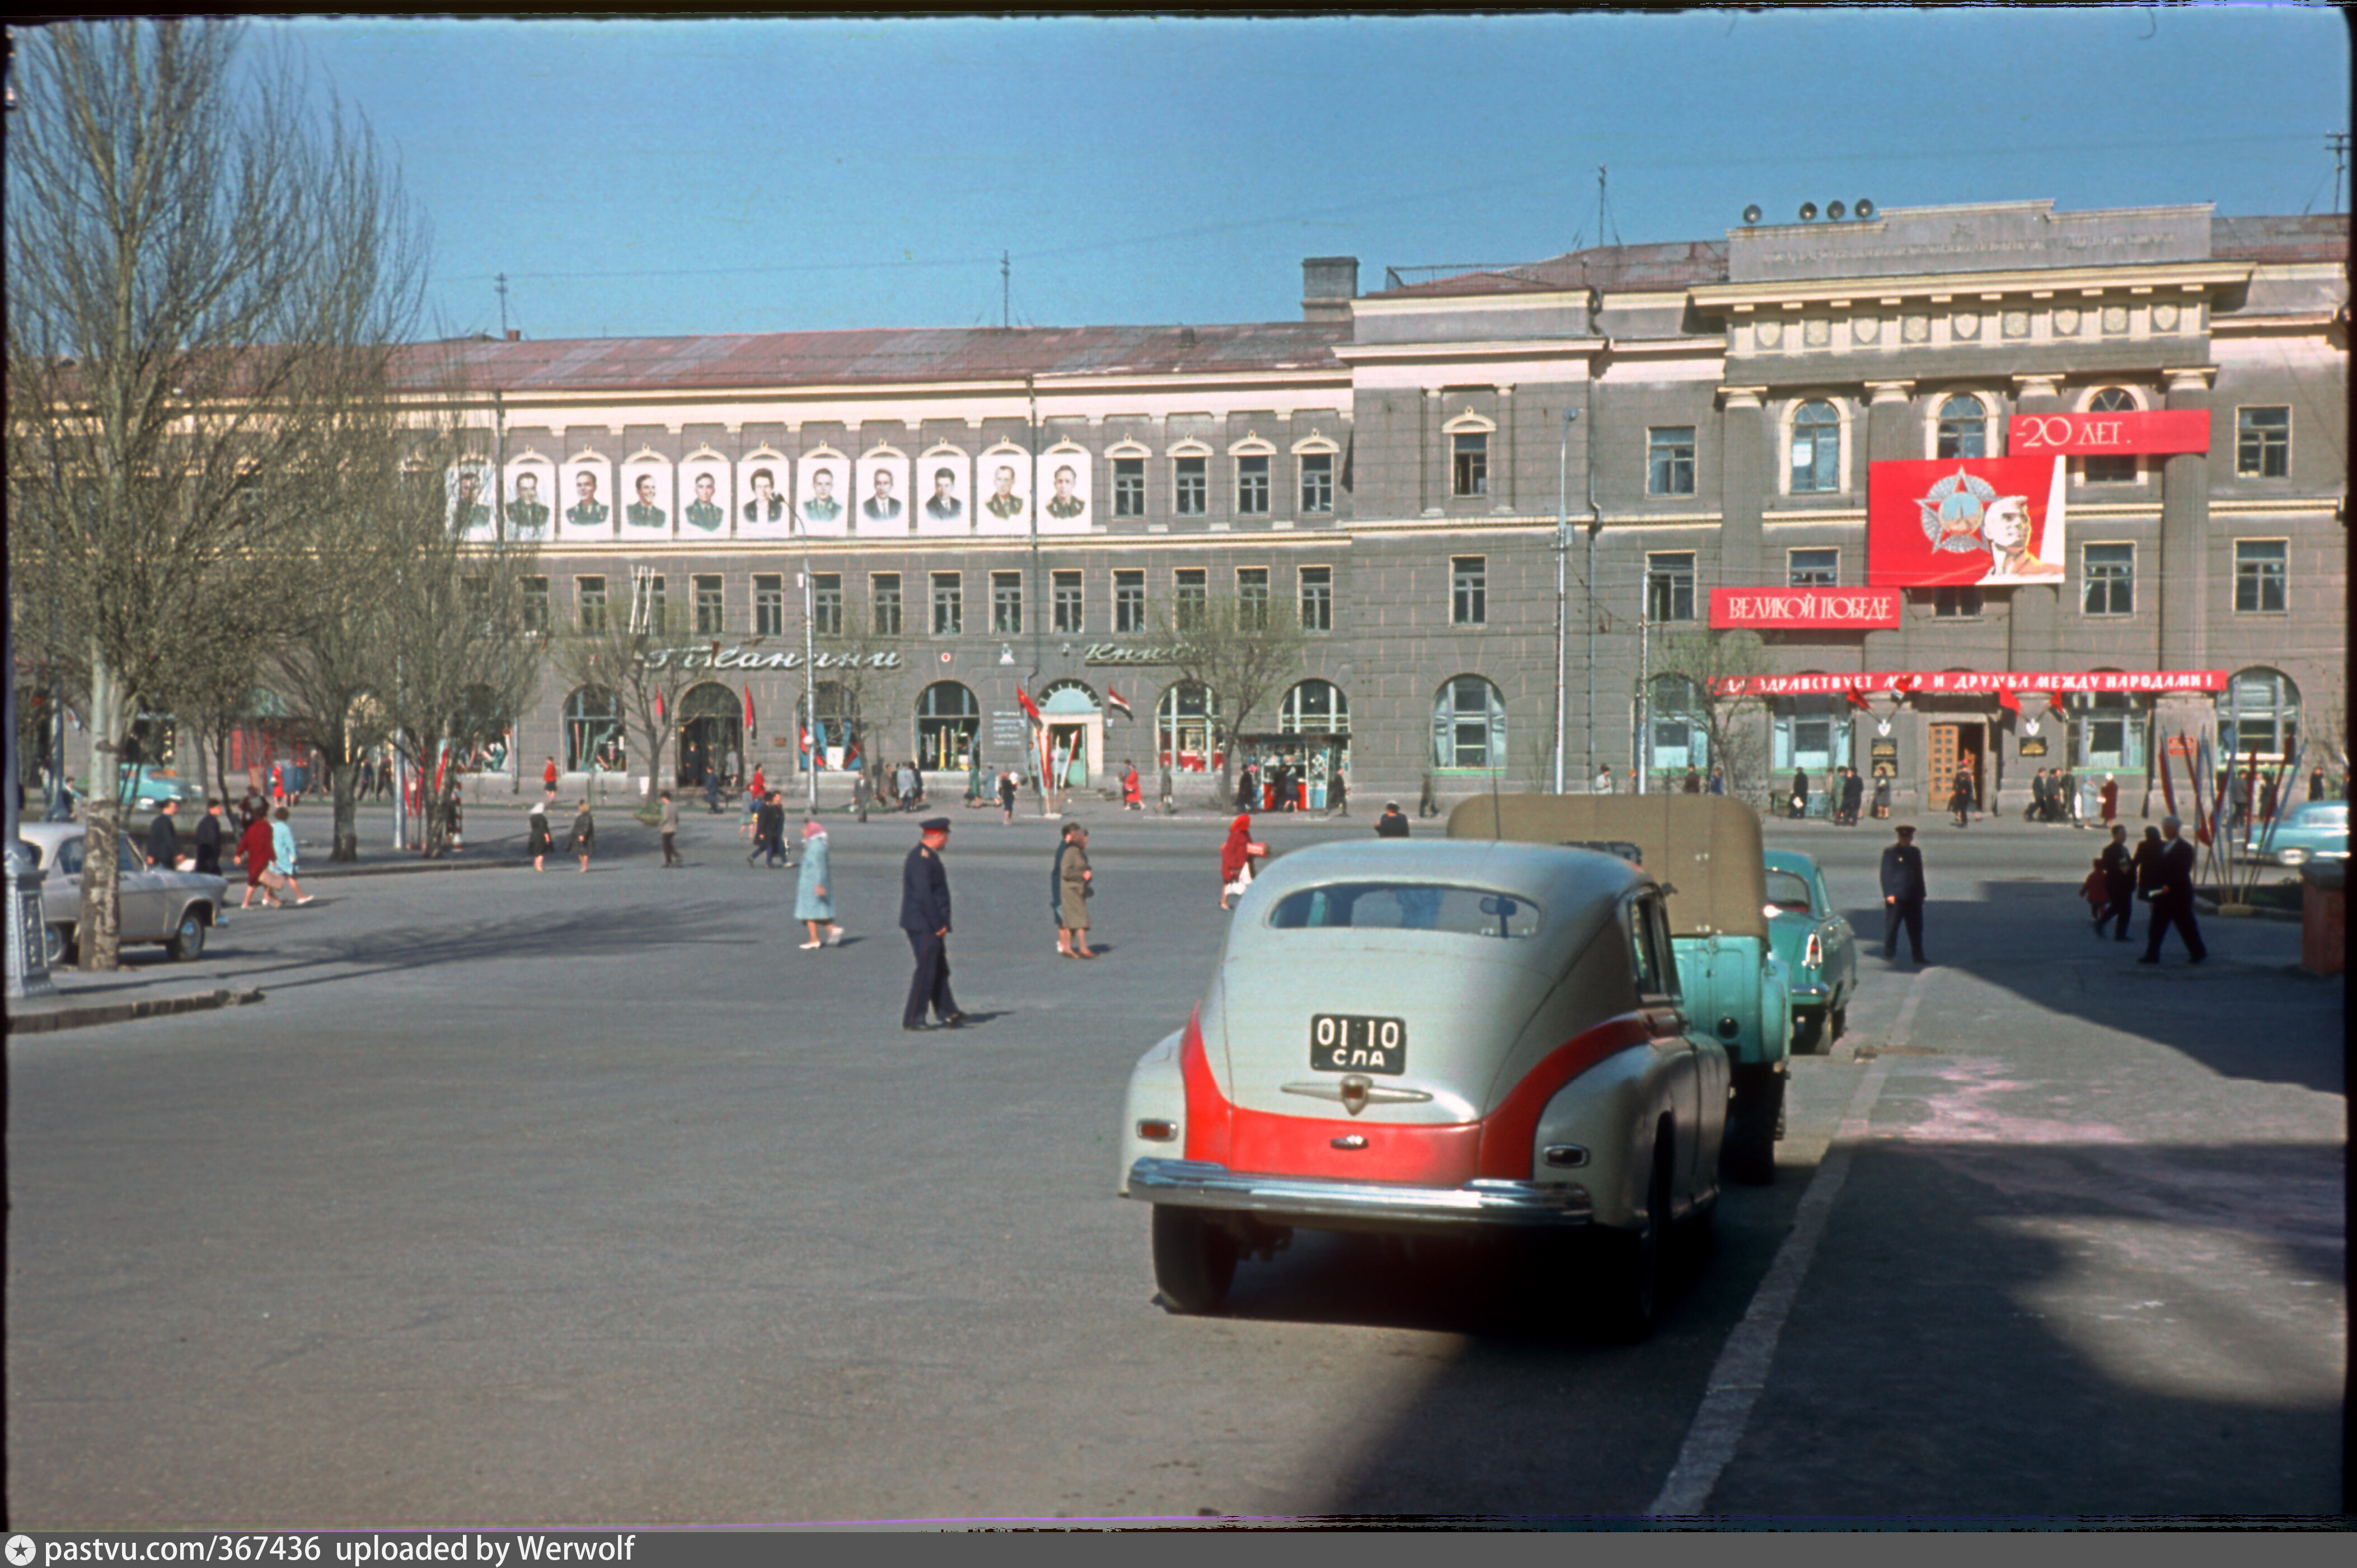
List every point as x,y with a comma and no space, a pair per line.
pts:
557,1199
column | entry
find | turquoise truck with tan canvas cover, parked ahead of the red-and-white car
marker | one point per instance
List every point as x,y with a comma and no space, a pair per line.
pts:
1705,852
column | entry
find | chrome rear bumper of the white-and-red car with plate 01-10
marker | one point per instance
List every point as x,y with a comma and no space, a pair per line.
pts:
1206,1185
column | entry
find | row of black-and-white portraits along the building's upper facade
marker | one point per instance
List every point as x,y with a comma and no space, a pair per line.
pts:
770,496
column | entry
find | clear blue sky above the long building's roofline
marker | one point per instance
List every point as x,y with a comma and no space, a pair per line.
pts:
652,178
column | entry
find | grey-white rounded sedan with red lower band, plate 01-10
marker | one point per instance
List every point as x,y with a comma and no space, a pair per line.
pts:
1432,1039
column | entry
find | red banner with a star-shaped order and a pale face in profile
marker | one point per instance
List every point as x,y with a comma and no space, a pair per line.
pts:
1965,522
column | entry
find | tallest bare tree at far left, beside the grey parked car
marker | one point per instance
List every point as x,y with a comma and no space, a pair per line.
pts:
199,270
